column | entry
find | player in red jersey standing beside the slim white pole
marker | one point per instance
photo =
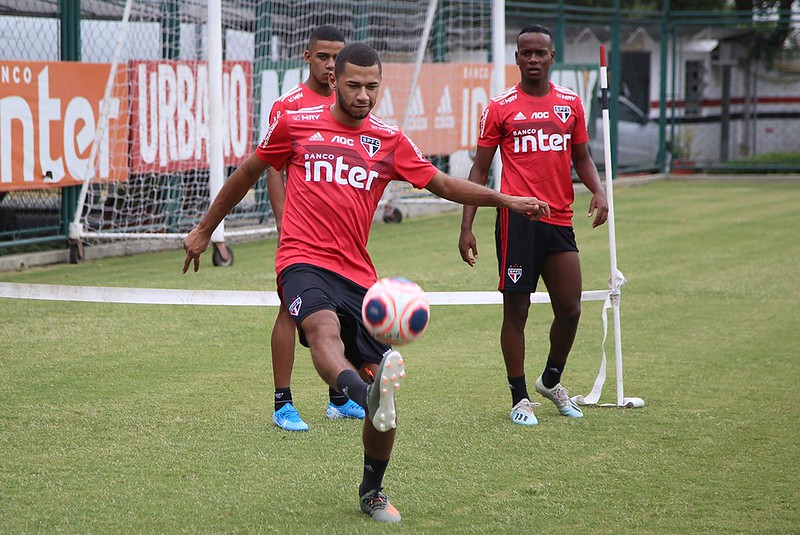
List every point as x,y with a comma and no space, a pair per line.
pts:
540,128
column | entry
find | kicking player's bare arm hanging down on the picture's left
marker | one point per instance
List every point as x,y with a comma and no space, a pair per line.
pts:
229,196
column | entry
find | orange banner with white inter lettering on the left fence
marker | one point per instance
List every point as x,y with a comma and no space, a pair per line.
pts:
50,113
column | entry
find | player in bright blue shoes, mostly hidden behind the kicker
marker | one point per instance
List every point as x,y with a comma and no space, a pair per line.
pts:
324,44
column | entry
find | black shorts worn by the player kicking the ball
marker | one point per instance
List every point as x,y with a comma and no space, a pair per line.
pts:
305,289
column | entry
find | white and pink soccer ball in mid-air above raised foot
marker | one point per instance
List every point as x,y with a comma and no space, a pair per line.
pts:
395,311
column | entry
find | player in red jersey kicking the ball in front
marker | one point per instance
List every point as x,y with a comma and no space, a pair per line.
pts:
339,160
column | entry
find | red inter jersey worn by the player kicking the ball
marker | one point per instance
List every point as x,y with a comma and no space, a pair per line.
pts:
336,175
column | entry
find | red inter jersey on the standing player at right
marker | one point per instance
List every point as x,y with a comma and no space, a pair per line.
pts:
535,135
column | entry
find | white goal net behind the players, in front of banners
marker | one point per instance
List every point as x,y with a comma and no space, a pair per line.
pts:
148,174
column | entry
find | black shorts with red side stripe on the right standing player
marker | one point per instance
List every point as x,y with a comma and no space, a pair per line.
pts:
523,246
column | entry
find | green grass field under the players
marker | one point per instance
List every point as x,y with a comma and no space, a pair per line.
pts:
157,419
